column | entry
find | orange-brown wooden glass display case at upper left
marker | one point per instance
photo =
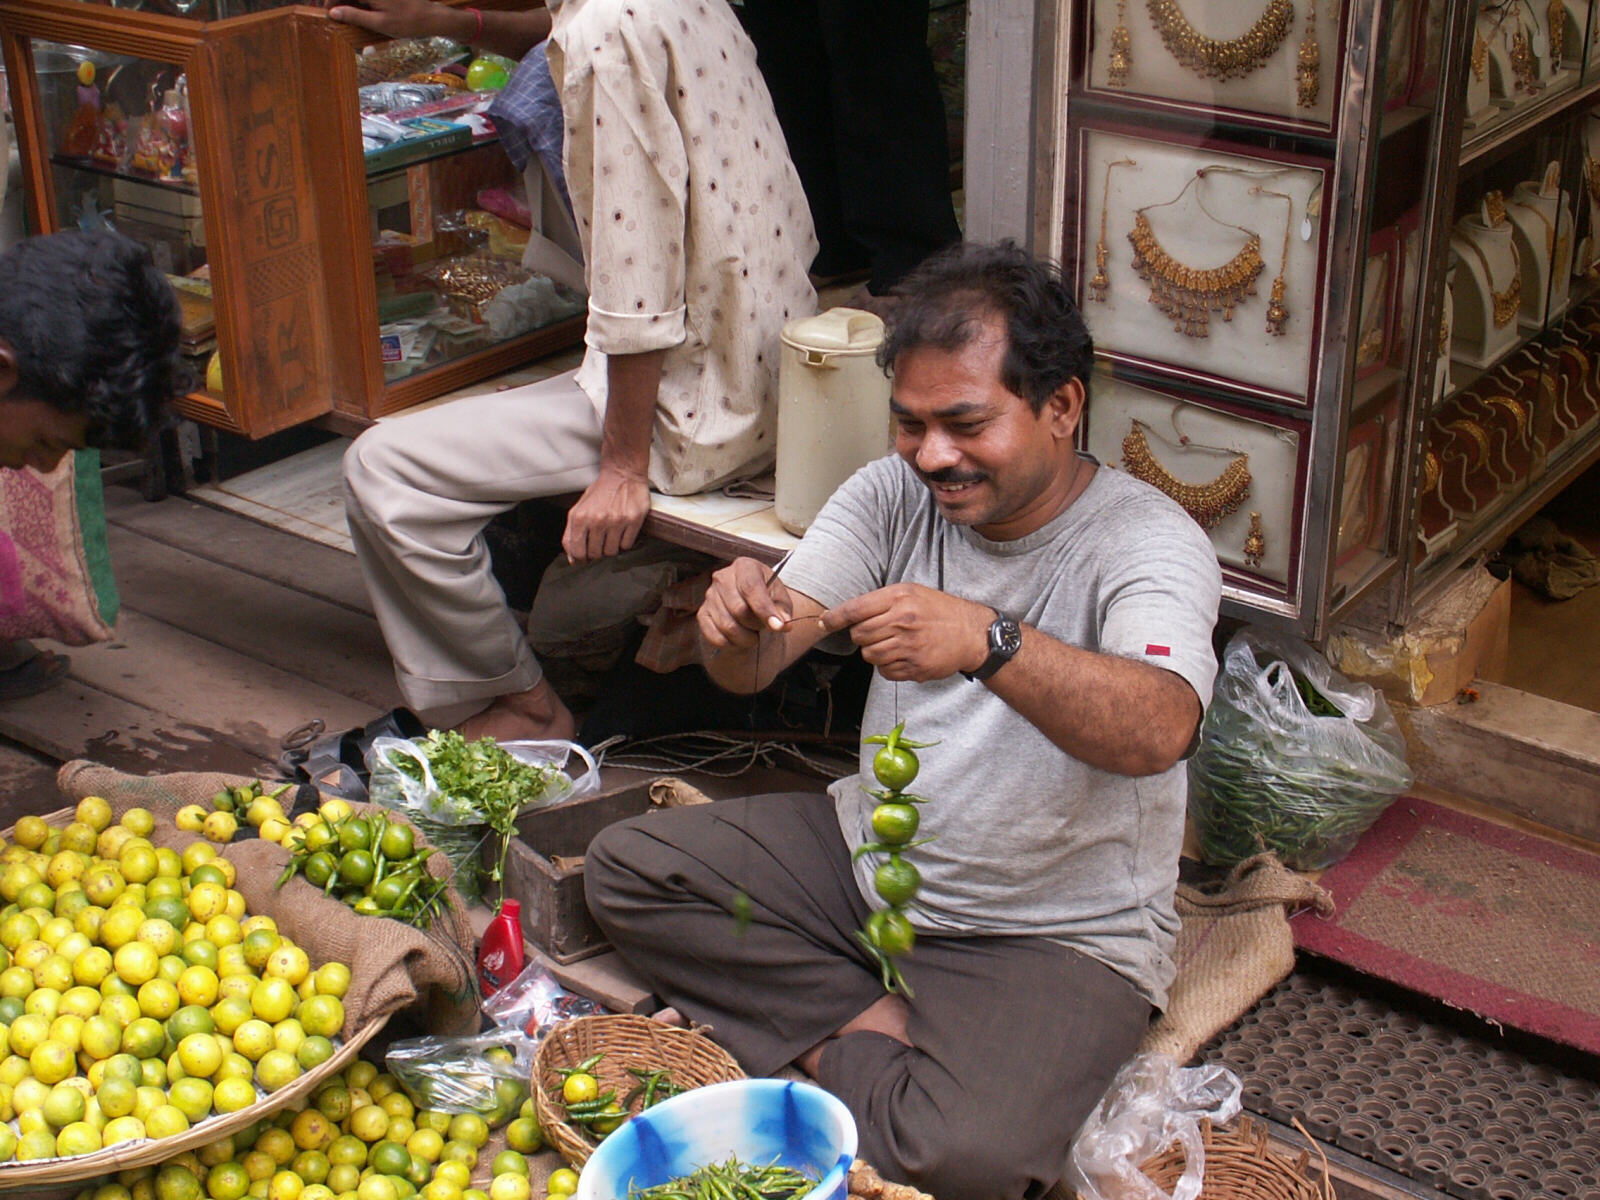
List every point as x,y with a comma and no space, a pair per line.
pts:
332,279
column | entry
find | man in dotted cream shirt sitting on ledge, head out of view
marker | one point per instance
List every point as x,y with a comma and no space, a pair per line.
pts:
697,239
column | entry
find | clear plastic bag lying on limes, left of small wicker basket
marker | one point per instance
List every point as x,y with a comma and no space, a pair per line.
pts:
486,1074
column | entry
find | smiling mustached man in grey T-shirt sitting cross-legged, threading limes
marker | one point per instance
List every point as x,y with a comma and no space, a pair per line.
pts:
1050,625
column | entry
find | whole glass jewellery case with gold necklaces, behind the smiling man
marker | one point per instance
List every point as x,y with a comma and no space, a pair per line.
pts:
1342,263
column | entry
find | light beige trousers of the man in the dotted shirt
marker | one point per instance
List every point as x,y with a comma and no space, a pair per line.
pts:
418,492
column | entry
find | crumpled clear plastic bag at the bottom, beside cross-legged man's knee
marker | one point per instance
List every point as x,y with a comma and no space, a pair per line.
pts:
1151,1105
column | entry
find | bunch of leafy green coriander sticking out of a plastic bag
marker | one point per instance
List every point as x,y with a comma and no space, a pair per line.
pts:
481,783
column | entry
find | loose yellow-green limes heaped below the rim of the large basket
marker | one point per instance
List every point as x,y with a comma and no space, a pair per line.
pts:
358,1138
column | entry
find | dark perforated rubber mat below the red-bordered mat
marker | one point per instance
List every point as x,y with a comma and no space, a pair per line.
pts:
1447,1110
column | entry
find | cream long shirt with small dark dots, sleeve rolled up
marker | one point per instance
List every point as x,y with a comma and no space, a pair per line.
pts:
697,234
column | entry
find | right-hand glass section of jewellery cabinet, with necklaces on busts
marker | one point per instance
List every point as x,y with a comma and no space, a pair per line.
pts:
1513,414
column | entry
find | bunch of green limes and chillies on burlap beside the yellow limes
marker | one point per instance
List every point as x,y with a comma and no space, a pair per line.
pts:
370,863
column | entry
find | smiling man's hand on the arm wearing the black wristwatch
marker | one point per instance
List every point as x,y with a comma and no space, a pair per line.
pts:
914,633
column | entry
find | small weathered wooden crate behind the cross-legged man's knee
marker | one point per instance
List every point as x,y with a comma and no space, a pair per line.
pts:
545,871
